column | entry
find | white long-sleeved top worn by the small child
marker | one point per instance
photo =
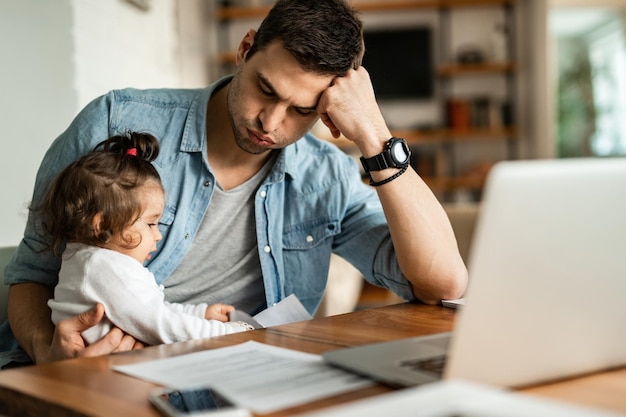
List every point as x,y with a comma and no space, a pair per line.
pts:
131,298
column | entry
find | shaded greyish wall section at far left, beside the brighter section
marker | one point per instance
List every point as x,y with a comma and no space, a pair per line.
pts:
36,98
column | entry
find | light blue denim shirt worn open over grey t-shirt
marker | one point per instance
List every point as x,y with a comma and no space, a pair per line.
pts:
312,203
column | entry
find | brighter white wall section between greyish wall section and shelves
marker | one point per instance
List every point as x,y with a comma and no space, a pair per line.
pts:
117,45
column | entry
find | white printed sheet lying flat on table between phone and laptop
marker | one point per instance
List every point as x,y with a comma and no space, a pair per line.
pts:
259,377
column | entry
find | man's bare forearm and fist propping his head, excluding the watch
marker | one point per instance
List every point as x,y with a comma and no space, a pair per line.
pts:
422,236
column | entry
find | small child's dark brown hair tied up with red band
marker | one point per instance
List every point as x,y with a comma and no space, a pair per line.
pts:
103,182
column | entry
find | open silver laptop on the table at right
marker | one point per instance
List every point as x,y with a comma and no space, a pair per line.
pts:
547,284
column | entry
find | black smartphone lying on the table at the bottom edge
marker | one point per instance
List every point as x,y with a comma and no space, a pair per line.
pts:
203,401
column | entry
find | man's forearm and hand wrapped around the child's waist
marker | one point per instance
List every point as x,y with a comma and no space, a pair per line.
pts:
33,329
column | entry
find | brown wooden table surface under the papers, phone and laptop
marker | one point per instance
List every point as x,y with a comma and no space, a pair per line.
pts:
88,386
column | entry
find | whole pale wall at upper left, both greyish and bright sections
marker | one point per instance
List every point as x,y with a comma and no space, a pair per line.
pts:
57,56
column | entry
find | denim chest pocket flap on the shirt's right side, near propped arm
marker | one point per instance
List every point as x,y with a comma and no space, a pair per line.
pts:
311,234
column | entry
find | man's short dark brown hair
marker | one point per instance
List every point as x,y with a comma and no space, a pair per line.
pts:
324,36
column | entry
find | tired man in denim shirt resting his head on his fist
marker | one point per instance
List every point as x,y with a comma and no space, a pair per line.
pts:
254,204
